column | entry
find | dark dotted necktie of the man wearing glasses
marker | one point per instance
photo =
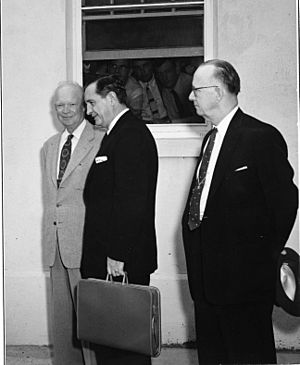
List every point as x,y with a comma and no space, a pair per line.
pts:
194,213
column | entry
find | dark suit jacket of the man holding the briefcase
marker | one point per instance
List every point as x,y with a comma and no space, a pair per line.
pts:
120,202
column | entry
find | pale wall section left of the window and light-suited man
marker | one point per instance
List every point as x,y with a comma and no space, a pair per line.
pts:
33,33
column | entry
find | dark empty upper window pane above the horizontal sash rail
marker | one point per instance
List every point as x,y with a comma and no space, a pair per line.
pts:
143,33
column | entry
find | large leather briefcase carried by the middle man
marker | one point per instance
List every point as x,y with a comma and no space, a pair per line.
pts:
120,315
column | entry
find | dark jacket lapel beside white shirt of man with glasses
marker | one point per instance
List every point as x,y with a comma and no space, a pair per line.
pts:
227,148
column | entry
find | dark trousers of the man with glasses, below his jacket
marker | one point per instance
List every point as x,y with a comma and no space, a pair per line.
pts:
235,334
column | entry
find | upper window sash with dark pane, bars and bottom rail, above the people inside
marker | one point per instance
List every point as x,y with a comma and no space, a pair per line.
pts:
134,28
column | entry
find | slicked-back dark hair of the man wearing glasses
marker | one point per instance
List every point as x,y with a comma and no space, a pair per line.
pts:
226,73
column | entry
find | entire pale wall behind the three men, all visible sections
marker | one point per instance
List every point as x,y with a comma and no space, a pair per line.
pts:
257,36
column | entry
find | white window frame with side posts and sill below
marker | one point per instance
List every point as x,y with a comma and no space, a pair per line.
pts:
172,139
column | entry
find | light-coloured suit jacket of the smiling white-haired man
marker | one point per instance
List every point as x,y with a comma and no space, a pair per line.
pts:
64,208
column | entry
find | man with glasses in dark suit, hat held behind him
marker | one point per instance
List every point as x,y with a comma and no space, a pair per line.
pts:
240,211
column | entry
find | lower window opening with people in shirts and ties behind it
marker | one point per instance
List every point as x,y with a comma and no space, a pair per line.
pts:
157,89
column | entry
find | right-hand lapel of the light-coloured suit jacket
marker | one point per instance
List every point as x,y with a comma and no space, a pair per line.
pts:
83,147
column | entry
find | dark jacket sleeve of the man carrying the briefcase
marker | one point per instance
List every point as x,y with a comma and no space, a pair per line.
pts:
132,163
